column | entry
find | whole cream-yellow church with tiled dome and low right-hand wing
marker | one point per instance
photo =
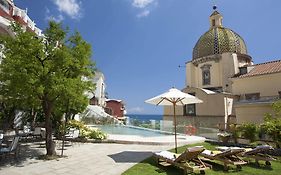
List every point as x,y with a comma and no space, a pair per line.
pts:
222,74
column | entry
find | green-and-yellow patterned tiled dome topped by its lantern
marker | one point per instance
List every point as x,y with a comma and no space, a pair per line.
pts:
218,40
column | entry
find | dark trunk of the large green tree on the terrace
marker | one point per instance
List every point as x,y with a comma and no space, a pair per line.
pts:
50,145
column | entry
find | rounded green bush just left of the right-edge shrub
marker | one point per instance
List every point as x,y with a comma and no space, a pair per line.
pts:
249,131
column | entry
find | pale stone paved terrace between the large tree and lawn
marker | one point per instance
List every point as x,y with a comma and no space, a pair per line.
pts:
89,158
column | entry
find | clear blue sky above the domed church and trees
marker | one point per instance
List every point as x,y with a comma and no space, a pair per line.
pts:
139,44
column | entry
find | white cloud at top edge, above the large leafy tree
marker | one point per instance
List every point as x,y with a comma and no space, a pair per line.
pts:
72,8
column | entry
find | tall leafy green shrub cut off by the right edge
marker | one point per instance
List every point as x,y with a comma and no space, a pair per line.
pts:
272,123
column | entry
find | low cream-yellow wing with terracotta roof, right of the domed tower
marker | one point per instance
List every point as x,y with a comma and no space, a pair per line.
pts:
256,87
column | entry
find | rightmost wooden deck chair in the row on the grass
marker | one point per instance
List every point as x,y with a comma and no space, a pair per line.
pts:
259,153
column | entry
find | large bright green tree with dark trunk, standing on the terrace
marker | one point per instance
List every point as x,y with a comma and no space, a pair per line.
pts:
47,71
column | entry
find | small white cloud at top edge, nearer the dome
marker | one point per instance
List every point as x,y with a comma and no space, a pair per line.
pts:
144,7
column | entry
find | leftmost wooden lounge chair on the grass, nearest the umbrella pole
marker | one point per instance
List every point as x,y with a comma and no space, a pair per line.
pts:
188,160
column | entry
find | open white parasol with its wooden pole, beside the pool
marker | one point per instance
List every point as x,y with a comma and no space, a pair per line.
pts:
174,97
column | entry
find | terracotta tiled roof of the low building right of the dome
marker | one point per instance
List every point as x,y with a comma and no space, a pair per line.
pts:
263,68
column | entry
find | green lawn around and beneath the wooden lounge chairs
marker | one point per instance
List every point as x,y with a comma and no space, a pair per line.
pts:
150,167
